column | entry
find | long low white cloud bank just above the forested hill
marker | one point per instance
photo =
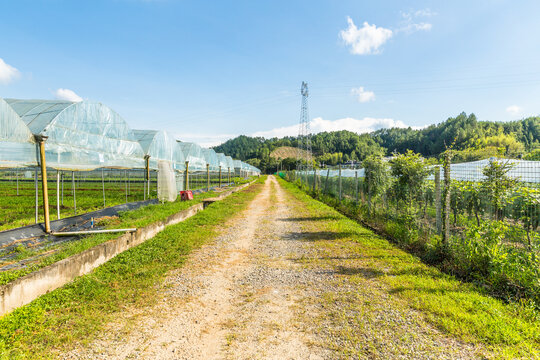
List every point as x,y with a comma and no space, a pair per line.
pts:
318,125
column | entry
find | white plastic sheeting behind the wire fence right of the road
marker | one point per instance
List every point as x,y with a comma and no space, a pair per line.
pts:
522,170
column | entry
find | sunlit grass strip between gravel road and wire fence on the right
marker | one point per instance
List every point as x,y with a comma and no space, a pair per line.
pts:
462,310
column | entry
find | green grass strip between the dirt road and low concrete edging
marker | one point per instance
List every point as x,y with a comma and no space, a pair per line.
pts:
76,312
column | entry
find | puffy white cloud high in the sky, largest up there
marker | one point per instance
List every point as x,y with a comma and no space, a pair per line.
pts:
366,40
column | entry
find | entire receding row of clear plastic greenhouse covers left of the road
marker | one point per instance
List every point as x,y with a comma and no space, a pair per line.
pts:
86,136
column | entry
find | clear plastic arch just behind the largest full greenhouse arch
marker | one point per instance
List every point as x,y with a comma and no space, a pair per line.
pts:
160,145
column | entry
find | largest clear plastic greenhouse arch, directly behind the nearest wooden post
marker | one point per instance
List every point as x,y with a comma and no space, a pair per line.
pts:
81,136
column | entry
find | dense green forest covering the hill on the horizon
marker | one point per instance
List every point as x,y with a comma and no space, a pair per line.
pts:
471,139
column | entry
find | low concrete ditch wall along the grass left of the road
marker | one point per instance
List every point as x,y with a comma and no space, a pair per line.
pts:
24,290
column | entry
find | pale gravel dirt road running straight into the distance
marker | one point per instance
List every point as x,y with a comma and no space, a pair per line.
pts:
251,294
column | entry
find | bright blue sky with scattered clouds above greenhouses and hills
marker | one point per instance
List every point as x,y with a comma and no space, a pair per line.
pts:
211,70
